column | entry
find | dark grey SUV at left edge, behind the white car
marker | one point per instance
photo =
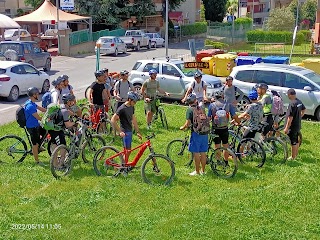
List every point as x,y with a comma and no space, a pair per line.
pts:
26,51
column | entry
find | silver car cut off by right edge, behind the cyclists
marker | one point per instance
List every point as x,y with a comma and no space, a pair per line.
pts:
281,77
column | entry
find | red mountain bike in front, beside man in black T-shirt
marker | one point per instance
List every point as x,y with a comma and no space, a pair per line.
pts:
156,168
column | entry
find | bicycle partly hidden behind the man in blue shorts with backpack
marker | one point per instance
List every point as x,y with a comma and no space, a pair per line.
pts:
177,150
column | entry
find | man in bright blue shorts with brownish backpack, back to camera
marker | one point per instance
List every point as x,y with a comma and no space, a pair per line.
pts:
198,143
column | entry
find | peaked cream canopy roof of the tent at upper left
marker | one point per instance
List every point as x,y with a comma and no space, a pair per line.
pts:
47,12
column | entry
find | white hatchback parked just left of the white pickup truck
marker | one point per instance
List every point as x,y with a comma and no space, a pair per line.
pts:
111,45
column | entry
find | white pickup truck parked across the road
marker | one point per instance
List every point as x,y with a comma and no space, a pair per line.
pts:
135,39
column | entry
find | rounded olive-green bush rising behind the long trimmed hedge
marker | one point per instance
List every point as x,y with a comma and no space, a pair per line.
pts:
281,19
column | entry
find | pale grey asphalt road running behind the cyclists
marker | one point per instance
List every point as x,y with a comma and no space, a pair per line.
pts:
80,69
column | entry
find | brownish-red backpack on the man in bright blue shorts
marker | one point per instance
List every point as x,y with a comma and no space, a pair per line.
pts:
200,123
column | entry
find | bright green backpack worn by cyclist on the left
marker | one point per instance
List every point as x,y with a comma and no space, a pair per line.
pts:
50,117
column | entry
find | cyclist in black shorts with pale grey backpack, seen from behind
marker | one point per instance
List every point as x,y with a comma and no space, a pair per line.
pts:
219,113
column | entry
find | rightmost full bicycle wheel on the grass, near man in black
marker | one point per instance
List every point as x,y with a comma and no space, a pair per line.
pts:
275,149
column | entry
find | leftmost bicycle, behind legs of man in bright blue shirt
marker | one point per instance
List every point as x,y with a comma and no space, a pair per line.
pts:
15,147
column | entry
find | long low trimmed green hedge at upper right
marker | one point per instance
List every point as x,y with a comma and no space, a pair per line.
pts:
259,36
